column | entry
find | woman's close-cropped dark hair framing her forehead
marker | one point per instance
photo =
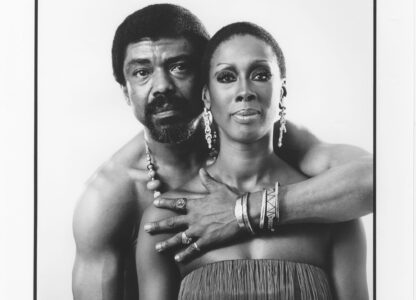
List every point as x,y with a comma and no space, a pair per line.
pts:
241,28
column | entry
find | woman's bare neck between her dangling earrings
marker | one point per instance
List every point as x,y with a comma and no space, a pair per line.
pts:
245,166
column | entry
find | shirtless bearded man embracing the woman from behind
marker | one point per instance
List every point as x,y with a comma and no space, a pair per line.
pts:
156,54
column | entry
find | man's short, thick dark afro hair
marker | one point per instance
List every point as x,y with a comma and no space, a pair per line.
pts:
154,22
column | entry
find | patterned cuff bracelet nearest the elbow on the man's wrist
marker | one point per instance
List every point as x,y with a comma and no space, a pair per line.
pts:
270,213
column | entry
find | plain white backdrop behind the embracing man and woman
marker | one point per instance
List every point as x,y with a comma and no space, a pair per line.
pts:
83,118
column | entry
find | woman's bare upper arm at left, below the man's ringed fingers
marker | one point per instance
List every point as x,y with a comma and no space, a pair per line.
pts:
157,274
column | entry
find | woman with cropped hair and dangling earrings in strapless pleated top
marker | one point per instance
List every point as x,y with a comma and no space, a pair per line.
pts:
244,72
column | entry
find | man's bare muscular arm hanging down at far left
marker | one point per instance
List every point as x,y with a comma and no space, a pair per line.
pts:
103,223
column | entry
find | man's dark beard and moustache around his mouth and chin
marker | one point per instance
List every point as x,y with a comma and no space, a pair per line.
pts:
172,130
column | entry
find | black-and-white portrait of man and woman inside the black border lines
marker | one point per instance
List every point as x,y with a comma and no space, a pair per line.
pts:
205,150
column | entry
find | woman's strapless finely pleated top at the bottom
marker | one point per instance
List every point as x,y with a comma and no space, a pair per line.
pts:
256,279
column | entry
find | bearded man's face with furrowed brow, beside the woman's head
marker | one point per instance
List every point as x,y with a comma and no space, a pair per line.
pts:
162,86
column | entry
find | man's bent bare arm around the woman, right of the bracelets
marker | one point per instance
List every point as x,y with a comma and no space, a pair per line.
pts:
341,183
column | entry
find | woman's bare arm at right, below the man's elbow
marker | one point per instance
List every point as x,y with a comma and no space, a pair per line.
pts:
348,261
